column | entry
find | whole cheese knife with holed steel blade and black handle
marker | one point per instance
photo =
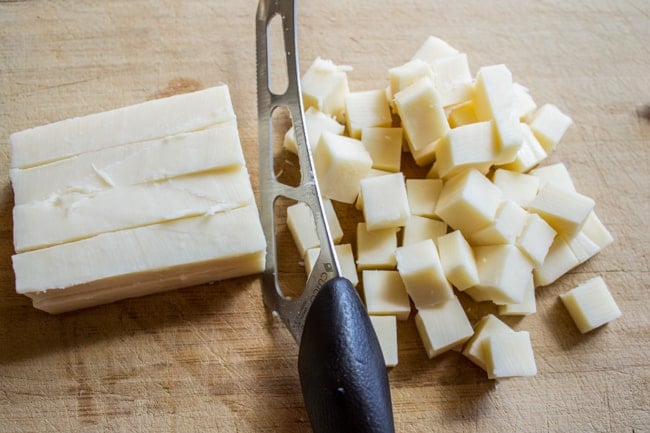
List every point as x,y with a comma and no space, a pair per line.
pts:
340,364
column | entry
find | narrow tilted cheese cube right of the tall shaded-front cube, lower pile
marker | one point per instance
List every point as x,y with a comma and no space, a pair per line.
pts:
457,259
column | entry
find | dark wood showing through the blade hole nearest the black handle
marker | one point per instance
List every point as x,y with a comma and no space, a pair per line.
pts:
290,272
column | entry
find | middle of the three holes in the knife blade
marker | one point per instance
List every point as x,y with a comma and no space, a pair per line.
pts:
286,165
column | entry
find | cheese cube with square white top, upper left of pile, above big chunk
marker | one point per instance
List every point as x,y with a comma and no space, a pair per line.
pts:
366,109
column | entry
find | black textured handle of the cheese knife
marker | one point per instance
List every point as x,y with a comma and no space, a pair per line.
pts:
342,371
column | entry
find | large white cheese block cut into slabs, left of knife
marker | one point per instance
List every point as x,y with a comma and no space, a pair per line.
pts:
133,201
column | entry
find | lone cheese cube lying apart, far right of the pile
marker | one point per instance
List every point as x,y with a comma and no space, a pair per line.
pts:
591,304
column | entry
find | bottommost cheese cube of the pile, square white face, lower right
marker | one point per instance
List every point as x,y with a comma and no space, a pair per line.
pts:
510,354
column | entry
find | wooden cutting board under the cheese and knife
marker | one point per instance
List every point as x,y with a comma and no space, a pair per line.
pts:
210,358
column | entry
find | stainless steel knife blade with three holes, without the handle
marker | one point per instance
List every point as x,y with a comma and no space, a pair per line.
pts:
291,311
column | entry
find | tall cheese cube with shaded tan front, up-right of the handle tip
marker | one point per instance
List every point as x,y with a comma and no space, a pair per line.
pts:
420,268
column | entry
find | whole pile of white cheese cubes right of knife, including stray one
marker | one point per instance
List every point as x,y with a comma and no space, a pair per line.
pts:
487,219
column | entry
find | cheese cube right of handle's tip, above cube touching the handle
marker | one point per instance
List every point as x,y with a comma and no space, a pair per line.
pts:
385,294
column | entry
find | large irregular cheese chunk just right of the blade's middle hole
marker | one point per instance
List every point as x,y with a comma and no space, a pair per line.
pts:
340,163
